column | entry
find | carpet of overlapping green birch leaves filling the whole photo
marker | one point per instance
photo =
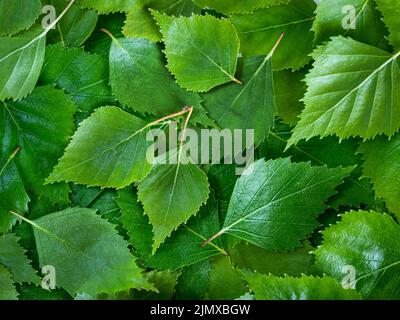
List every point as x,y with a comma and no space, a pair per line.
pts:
77,194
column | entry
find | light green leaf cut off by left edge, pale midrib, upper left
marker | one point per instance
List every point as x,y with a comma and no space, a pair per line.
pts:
21,59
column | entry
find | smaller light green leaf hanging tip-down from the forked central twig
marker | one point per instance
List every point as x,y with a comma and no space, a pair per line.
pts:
181,190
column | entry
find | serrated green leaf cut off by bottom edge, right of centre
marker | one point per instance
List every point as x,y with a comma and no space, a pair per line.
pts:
267,287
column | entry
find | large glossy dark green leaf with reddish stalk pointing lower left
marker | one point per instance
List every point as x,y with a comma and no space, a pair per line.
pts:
265,204
